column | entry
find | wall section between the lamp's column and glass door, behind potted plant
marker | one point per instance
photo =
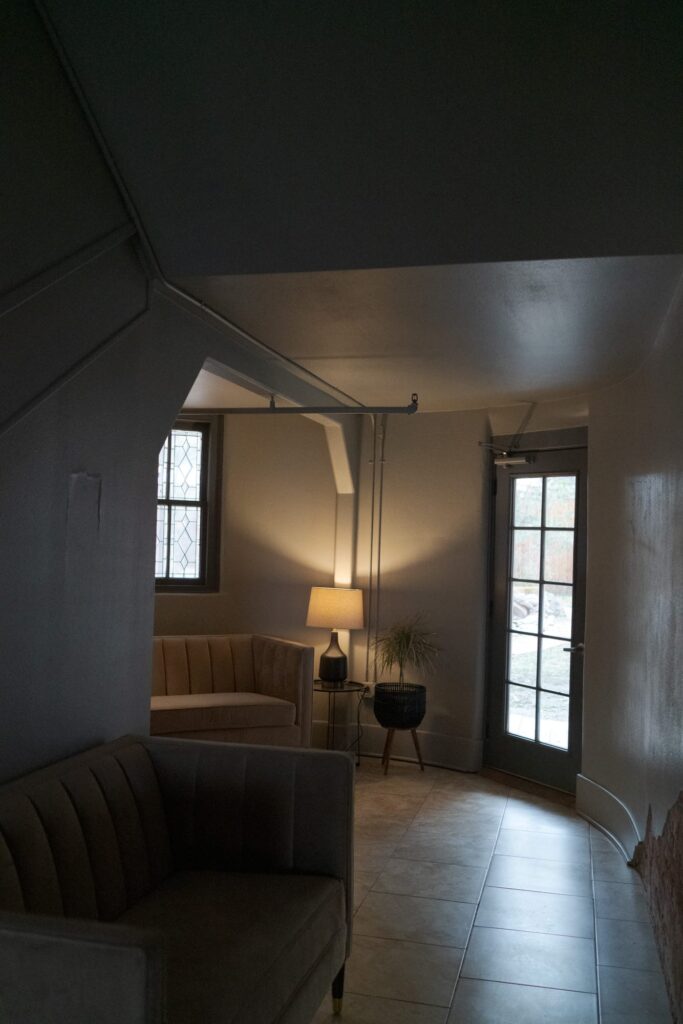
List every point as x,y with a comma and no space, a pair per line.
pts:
434,563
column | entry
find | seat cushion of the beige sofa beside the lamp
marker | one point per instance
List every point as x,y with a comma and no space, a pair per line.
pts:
204,712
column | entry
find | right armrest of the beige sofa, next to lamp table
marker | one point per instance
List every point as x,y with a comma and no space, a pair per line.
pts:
284,669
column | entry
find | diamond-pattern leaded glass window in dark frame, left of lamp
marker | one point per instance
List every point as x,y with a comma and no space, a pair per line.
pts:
184,513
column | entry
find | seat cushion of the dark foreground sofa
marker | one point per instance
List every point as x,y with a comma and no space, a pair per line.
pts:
239,947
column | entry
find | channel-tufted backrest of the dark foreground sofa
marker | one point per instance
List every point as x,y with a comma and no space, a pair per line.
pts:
89,841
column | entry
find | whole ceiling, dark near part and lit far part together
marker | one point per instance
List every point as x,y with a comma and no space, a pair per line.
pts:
327,176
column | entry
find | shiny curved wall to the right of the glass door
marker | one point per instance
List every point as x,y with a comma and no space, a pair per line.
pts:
633,704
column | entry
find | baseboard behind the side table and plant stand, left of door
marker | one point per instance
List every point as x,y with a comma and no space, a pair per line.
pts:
439,750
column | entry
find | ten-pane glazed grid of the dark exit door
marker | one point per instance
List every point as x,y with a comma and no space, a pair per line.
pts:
539,624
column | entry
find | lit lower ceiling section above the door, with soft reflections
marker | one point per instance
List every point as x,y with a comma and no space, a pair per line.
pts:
462,337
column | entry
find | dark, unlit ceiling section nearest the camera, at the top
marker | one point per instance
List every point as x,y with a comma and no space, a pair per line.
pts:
316,135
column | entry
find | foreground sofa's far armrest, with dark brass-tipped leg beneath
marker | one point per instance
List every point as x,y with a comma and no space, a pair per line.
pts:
249,808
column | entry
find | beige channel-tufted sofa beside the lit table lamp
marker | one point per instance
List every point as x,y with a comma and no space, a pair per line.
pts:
240,688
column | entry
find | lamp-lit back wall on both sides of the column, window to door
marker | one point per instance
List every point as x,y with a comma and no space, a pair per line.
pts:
279,540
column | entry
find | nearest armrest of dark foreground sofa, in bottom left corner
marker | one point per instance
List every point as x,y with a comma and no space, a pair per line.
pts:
56,969
